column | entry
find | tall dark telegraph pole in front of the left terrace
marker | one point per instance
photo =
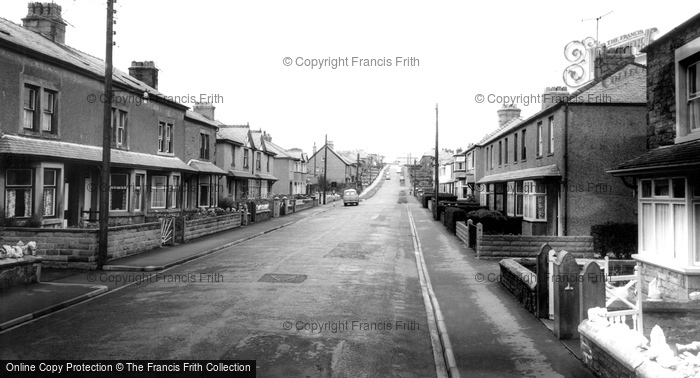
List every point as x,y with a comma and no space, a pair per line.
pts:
106,141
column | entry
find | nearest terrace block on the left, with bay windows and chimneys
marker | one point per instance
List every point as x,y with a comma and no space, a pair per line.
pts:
51,134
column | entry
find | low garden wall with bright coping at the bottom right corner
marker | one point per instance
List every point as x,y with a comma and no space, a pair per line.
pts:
610,356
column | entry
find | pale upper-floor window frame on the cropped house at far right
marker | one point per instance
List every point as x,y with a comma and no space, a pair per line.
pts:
684,132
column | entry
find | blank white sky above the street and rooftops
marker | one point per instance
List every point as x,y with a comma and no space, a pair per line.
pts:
253,59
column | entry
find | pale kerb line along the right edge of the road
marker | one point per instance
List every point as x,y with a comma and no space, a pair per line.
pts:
445,363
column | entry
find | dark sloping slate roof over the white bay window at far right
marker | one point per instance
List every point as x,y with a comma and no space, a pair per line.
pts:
674,157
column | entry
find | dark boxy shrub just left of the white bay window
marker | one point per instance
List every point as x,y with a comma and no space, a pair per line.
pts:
613,239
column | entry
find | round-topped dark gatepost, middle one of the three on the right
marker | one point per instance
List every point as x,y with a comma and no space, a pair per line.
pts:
566,297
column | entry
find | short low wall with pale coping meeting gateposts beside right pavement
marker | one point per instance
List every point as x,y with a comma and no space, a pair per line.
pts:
520,281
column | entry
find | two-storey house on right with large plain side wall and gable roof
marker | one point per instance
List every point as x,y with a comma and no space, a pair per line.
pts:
549,169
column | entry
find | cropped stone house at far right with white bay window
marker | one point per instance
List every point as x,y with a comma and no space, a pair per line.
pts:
667,176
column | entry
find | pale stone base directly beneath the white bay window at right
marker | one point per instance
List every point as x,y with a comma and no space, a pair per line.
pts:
672,285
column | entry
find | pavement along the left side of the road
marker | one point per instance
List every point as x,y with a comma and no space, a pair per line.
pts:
62,288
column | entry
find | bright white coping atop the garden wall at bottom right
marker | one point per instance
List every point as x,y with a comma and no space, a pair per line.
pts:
619,349
